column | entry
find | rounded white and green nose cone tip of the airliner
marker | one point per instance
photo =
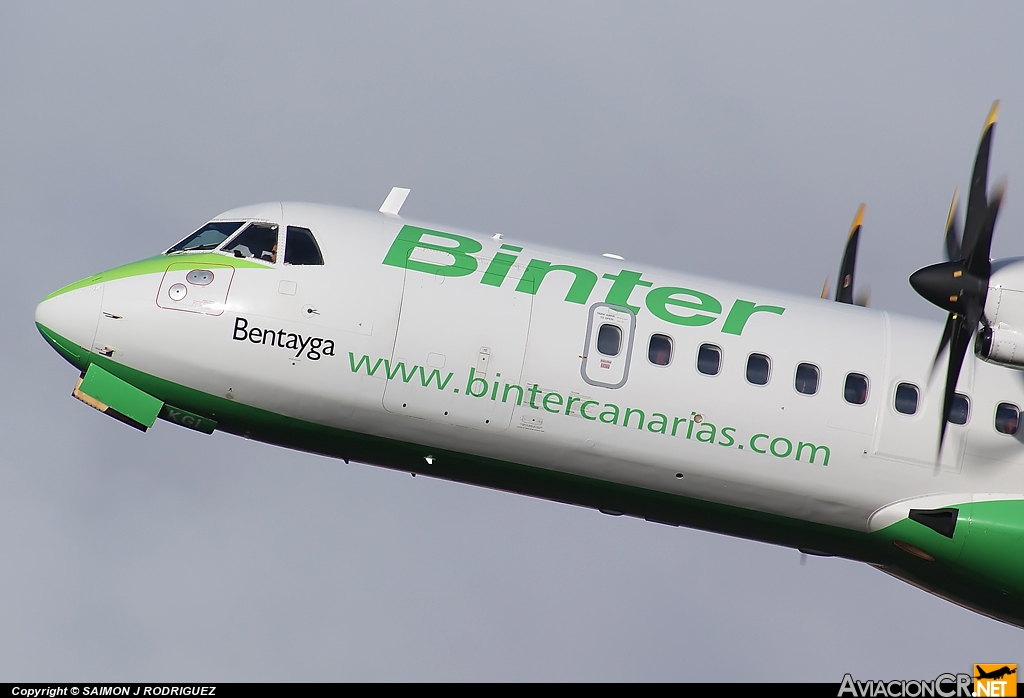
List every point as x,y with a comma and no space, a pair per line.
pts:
68,321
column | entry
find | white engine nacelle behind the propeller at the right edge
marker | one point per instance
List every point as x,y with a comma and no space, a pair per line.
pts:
1003,340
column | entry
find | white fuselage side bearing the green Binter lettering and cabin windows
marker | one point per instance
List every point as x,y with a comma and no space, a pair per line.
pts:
735,444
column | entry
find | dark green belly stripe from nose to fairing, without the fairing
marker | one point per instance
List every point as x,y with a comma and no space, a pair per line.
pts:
235,418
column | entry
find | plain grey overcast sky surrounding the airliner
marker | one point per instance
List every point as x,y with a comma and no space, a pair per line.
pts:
731,140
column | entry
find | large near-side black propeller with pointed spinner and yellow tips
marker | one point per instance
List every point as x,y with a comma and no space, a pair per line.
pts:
960,285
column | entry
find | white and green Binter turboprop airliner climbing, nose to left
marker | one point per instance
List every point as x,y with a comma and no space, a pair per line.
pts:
823,426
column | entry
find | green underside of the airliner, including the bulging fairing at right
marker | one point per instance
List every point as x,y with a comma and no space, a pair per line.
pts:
958,579
